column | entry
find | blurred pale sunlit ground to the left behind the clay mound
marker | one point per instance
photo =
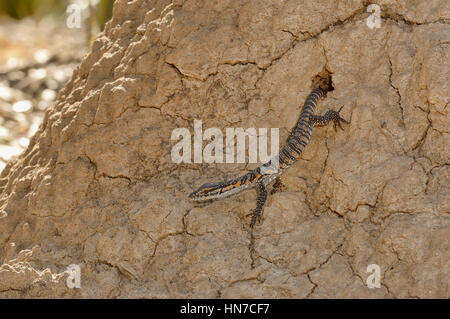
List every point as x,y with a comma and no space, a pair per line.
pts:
36,60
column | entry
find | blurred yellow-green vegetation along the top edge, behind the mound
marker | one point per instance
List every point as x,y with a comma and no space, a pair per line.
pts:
19,9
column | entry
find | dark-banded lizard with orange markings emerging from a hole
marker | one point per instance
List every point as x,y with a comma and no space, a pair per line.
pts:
263,175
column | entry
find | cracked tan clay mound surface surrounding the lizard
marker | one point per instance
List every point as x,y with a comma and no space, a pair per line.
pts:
97,186
